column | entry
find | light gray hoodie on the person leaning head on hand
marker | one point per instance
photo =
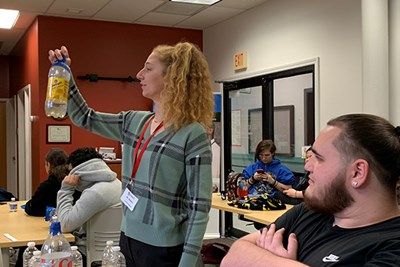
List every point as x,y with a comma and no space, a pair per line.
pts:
100,189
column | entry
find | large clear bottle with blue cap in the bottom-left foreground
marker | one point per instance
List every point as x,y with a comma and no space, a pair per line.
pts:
56,250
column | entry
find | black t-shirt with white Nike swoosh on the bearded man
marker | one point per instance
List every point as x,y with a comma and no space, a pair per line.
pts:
322,244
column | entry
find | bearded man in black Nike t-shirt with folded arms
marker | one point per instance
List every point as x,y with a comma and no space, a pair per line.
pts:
350,215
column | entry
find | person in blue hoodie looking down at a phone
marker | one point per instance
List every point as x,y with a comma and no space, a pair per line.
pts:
267,174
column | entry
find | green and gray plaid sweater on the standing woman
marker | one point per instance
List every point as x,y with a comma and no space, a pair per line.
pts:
173,182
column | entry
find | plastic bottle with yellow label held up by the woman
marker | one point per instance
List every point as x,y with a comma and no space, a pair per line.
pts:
57,89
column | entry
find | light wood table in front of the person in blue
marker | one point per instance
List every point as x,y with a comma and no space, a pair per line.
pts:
264,217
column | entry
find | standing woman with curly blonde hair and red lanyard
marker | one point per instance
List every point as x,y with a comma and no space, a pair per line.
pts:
166,157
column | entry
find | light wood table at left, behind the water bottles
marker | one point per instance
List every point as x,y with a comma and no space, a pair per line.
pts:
23,228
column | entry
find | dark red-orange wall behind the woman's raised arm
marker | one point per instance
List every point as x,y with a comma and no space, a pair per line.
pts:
96,47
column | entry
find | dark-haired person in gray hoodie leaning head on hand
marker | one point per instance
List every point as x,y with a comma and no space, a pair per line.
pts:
99,186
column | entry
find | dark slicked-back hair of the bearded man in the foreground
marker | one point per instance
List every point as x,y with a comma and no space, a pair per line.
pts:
372,138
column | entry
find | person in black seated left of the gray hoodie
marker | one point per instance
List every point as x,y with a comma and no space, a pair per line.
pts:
46,194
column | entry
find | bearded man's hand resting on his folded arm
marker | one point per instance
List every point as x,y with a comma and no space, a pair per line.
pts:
271,240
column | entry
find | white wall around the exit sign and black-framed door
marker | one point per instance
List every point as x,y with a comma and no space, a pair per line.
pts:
283,32
